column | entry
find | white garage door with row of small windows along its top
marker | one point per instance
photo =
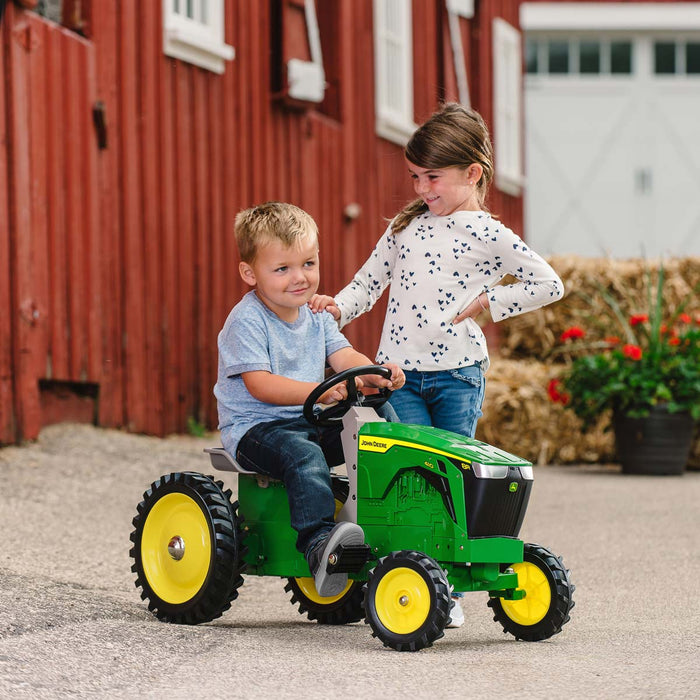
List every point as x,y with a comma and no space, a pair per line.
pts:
613,143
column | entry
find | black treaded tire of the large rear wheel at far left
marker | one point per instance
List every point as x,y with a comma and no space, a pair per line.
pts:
225,558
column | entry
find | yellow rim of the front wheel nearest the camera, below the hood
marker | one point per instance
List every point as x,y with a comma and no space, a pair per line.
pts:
402,600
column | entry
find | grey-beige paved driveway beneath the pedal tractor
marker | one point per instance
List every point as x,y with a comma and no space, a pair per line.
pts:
72,624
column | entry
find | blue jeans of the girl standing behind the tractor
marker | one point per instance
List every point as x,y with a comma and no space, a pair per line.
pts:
447,399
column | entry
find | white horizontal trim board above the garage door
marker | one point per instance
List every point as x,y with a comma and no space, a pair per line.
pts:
616,16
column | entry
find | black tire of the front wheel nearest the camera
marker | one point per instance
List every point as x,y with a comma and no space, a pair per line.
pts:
433,626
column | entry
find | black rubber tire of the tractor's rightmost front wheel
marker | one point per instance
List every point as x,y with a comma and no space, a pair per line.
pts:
561,591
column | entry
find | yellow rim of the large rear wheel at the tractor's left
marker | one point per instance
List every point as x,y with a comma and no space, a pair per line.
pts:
176,520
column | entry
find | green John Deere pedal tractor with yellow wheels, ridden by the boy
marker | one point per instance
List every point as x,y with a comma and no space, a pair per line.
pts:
440,512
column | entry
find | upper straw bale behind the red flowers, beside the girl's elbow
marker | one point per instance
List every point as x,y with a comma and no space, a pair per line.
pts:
536,334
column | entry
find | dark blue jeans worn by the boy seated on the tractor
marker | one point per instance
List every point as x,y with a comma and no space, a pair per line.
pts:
299,454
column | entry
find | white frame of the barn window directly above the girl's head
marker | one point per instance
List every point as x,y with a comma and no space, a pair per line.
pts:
392,124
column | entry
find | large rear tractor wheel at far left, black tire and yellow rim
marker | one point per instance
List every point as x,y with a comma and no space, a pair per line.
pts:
188,556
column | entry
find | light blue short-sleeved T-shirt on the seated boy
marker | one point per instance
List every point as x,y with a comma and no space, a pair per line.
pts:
255,338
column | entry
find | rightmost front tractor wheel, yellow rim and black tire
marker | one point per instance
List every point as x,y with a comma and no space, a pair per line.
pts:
548,597
